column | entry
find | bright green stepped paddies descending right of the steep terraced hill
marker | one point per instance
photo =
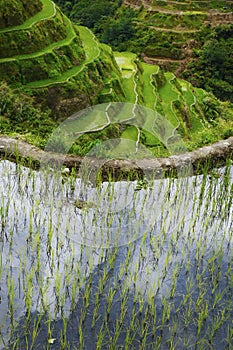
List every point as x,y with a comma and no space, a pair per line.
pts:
193,113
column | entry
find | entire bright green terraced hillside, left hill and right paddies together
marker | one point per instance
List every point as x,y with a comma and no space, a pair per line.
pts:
66,69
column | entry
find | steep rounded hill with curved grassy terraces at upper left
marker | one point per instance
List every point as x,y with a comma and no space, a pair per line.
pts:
62,65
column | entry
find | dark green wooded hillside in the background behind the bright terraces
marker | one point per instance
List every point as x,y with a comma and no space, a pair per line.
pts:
117,26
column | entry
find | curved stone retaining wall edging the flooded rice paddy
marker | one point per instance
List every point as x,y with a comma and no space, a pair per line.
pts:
215,154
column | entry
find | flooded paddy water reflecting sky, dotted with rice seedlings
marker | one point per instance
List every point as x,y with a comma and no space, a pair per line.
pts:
56,234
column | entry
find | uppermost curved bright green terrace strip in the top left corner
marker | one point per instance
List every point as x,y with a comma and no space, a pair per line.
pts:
48,11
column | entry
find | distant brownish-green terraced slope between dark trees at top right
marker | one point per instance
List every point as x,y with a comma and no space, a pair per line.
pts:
172,28
